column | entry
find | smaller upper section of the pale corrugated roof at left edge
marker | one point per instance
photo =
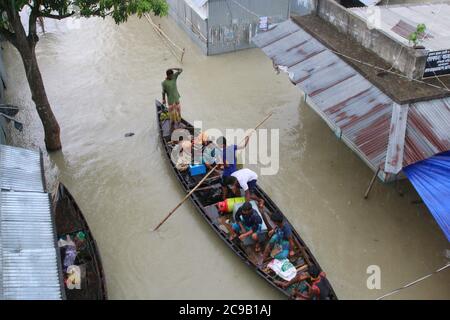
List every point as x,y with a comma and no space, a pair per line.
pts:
20,169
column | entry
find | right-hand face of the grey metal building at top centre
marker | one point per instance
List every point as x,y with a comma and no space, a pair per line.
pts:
233,23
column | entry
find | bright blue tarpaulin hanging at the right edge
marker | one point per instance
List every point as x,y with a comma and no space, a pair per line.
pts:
431,178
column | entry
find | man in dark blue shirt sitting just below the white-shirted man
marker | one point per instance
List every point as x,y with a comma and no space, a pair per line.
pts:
247,223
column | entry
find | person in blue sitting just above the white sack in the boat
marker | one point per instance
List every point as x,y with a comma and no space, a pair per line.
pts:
281,243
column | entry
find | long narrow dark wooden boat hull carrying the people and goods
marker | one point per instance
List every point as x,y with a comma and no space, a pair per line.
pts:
204,200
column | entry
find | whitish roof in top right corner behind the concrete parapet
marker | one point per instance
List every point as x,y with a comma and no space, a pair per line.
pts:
400,20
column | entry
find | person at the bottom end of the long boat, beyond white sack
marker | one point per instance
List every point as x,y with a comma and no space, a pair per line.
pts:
312,287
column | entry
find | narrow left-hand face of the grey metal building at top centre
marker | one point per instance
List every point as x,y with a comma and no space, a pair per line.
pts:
190,21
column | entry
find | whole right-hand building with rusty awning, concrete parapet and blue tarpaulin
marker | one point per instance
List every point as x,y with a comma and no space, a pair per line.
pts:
368,85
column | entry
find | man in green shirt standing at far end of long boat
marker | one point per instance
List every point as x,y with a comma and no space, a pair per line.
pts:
169,88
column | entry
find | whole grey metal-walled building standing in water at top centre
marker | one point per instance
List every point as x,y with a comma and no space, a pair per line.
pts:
220,26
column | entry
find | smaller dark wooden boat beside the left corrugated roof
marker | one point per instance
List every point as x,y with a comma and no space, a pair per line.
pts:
70,222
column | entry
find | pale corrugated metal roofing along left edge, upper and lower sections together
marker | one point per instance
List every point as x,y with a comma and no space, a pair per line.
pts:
29,267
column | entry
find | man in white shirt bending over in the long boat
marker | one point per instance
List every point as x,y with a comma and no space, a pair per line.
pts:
245,179
